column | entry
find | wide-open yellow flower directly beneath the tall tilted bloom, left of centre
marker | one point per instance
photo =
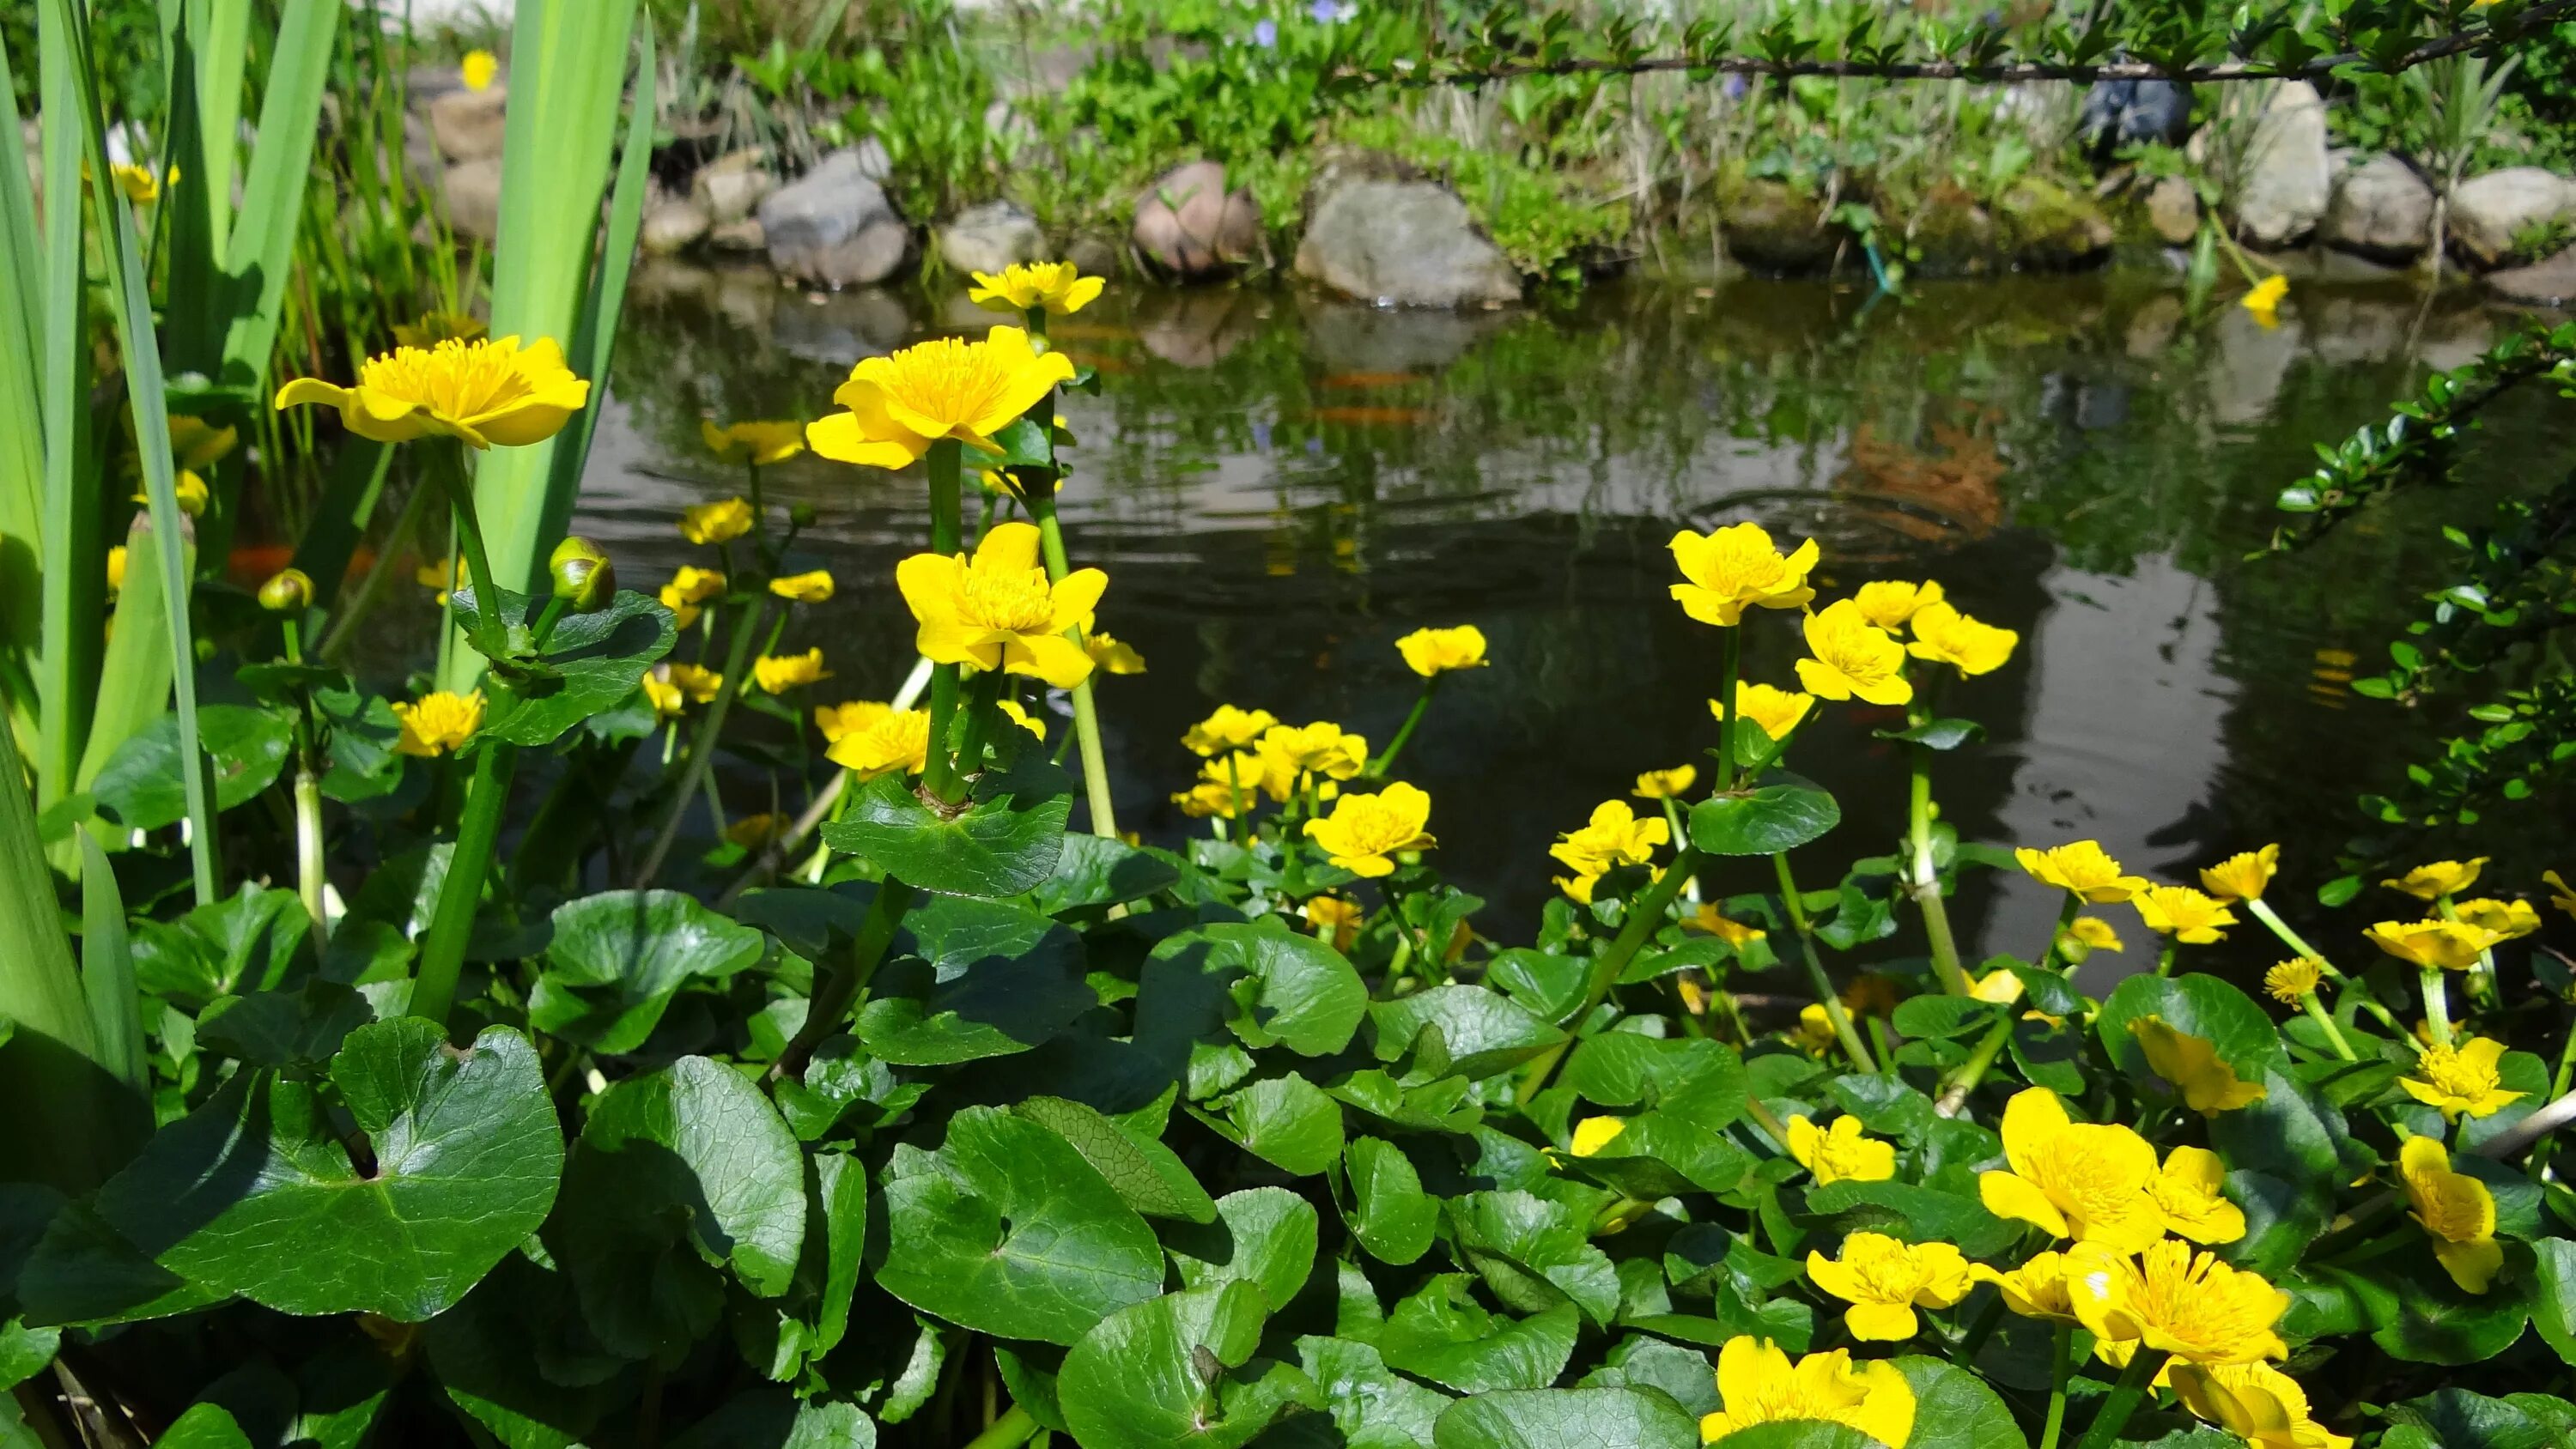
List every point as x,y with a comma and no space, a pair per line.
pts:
1001,611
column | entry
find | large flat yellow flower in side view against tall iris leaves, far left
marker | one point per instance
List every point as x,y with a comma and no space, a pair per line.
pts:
480,392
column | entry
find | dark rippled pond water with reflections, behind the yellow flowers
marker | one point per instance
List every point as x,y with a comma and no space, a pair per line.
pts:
1282,485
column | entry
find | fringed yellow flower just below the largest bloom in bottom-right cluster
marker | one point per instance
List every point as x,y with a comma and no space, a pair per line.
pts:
2178,1301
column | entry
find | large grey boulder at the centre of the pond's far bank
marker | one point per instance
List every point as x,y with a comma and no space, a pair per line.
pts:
1405,243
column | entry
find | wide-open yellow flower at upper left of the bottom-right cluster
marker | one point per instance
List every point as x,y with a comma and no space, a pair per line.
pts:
2072,1180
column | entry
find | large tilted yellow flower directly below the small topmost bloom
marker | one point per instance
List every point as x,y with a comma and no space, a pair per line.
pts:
947,387
